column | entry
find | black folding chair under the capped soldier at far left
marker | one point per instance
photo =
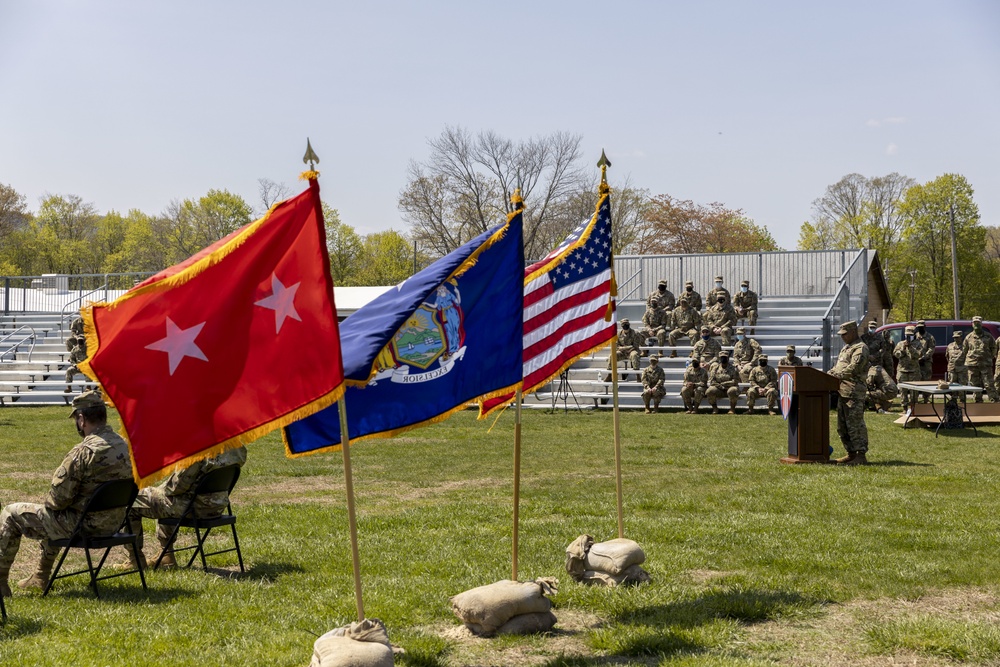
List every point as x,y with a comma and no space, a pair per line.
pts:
118,494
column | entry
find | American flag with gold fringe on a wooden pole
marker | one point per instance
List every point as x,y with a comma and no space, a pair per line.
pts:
568,304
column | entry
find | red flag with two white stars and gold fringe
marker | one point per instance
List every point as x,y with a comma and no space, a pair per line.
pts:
230,344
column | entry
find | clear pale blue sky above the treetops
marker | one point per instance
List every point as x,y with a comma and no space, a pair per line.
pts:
757,105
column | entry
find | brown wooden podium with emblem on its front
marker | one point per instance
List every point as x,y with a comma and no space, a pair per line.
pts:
809,416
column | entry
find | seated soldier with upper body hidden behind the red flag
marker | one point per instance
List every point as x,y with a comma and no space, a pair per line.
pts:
170,499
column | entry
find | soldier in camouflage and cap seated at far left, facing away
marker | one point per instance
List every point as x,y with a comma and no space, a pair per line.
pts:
103,456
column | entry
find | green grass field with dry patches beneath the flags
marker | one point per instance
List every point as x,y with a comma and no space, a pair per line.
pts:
753,562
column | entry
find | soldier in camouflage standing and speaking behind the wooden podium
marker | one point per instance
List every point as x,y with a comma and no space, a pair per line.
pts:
852,371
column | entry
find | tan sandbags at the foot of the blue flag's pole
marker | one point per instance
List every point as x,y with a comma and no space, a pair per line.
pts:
486,608
